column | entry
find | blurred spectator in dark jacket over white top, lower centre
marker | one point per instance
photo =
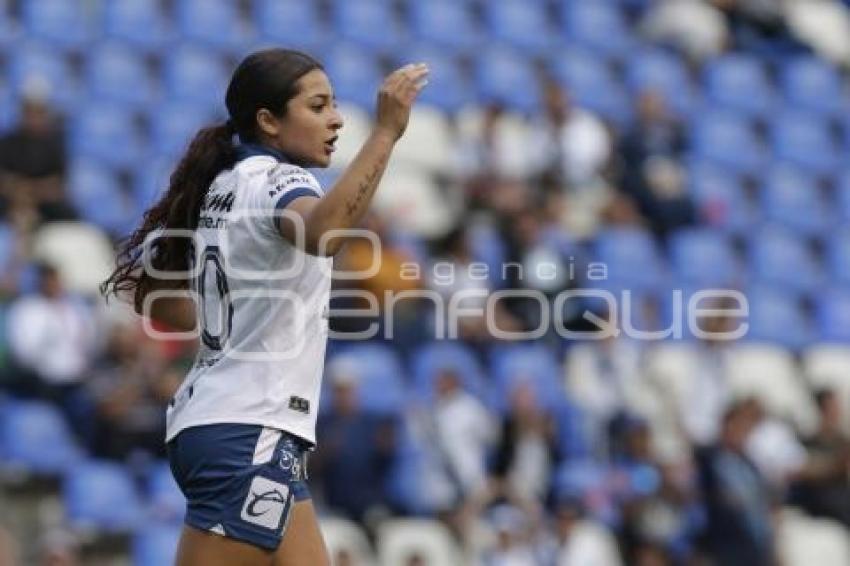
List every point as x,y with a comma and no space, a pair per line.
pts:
527,450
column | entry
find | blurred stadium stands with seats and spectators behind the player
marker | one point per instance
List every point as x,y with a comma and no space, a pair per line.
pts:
684,144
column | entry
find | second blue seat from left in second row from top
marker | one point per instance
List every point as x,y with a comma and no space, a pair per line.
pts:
116,72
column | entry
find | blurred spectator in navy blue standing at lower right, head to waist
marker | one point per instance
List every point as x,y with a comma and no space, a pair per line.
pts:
739,530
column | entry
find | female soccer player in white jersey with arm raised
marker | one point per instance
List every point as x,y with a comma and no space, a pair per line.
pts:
244,227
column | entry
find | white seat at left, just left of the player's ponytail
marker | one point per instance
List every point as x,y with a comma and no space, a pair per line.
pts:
59,244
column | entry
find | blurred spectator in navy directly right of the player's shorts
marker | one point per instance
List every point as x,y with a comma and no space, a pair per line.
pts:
356,451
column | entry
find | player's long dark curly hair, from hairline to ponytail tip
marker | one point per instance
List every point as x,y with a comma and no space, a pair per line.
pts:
265,79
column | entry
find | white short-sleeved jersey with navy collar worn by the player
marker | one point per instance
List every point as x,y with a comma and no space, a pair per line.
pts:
263,305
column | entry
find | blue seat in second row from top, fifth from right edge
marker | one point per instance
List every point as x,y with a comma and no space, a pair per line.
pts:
498,72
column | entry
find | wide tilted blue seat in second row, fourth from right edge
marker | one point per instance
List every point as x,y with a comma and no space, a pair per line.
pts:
592,85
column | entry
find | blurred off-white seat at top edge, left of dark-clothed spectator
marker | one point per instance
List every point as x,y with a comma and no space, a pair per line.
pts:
693,26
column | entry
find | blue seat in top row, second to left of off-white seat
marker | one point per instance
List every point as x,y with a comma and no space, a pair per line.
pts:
522,24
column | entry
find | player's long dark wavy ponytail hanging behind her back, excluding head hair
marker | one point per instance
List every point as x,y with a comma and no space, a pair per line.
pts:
209,153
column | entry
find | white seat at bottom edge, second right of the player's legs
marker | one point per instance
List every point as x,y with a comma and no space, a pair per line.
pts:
400,539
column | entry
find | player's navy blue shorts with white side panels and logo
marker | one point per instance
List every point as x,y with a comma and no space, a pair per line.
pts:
240,481
